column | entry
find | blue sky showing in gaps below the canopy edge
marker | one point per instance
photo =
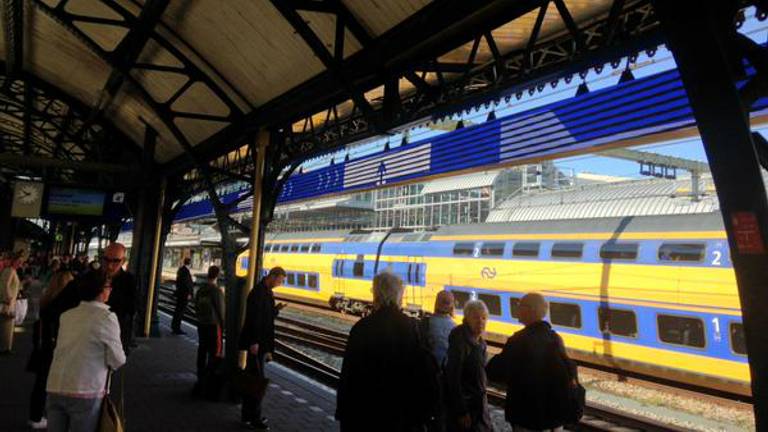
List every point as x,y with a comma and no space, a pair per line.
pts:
690,148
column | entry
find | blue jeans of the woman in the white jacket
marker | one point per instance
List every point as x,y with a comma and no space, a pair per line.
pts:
68,414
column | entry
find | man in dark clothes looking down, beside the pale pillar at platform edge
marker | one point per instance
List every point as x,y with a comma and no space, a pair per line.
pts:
258,337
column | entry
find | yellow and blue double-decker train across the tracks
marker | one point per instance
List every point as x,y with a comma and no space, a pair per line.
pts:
654,295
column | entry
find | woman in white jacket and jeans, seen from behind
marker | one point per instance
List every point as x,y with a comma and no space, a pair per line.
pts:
87,347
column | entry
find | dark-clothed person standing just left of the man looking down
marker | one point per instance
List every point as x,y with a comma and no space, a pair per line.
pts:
209,305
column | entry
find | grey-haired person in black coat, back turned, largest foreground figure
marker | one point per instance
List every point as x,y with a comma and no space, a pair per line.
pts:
386,382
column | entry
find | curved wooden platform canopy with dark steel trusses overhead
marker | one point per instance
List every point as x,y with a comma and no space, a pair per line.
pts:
205,75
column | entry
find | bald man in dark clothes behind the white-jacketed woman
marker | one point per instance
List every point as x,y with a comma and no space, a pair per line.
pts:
122,300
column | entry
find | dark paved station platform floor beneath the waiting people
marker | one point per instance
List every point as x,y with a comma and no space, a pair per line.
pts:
158,378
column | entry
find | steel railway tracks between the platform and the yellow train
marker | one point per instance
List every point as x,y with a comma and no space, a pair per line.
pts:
296,332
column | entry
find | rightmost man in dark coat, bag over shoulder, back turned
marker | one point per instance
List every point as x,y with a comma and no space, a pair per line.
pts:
536,371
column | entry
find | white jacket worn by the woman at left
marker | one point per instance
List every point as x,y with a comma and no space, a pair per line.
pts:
88,343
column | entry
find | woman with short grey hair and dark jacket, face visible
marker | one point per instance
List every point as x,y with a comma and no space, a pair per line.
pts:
466,400
